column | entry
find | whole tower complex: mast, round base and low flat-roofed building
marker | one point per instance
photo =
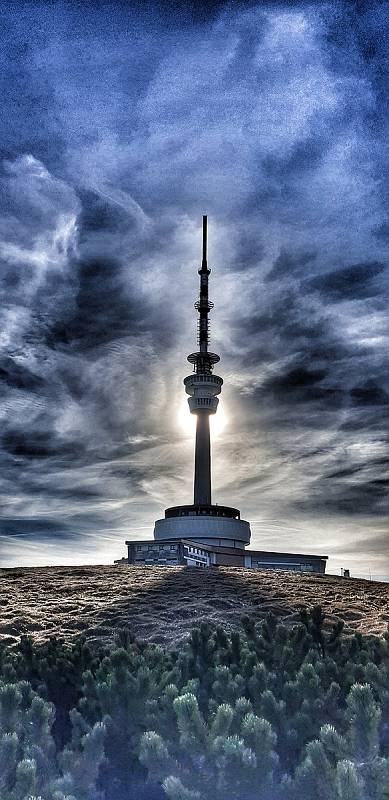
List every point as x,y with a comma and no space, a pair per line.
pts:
205,534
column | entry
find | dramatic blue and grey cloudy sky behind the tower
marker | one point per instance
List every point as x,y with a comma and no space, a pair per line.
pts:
122,124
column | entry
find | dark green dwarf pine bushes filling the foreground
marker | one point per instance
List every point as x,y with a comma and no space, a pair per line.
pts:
268,713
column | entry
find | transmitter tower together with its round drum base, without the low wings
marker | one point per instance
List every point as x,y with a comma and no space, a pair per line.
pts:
202,521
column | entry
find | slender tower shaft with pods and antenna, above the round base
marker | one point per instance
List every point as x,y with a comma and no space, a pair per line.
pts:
203,387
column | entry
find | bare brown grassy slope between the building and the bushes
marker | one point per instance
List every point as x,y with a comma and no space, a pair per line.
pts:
161,604
